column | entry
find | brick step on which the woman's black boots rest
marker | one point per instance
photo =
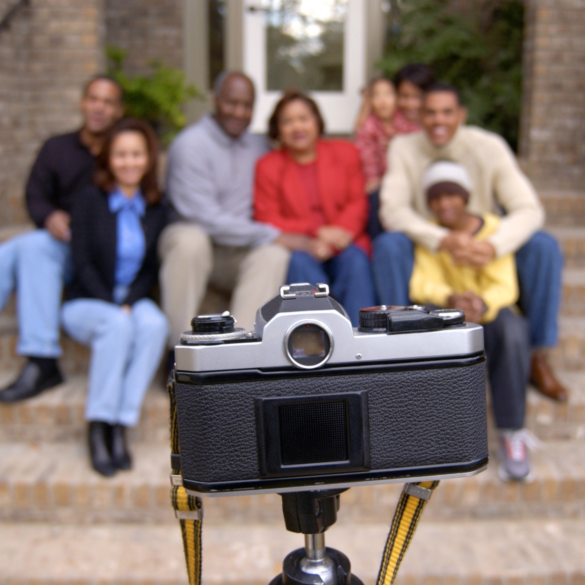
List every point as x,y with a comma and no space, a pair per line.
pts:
54,483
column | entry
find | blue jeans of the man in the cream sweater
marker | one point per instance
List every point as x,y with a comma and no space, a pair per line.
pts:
539,263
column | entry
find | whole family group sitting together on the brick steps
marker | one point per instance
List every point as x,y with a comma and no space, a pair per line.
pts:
418,208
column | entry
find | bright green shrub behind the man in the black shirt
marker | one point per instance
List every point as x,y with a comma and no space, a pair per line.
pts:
158,97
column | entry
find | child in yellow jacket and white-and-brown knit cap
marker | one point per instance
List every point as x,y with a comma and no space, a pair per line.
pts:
488,296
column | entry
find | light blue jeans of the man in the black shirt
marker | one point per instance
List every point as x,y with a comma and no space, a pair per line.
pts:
35,265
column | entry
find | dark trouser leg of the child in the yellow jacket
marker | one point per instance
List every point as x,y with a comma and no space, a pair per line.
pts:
507,348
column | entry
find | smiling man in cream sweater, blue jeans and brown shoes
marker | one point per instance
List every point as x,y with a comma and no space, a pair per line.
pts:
498,185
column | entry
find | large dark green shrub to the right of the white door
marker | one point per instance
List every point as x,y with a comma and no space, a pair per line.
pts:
480,54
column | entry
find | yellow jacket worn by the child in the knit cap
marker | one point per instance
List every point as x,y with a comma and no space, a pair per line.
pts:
435,276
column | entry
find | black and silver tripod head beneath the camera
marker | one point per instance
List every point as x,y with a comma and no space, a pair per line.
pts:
311,513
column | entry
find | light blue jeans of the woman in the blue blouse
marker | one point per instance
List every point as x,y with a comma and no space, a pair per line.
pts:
126,350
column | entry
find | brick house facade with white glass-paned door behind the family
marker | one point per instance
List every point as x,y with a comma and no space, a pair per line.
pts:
48,48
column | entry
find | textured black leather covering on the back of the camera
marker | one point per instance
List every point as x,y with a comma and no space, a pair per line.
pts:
418,418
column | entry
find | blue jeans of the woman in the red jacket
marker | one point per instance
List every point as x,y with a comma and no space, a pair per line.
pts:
349,275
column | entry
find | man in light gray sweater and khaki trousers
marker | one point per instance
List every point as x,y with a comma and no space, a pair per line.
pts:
213,239
